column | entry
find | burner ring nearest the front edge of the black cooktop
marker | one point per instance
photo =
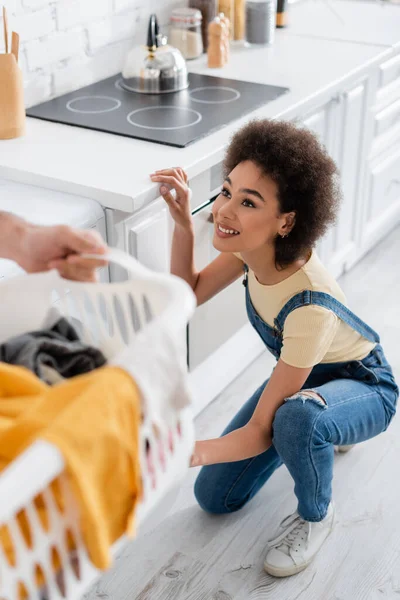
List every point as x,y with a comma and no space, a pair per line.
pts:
179,117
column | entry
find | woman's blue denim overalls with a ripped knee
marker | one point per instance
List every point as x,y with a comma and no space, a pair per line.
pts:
358,402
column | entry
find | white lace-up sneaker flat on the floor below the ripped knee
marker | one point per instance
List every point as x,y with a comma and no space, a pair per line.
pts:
297,543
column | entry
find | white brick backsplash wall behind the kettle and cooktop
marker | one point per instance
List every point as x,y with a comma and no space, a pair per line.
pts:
67,44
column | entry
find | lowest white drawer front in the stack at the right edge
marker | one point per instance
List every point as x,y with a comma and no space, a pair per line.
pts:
384,186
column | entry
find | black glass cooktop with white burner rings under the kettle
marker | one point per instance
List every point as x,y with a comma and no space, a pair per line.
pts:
175,119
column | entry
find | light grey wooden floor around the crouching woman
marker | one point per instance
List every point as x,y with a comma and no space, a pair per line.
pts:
194,556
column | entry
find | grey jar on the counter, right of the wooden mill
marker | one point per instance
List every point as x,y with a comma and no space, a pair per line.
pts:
260,22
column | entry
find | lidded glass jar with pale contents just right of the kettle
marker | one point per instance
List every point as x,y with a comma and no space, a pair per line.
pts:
185,32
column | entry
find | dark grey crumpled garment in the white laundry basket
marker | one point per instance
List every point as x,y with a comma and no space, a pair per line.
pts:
57,349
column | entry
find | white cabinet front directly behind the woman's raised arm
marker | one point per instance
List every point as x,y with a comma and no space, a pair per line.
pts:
216,321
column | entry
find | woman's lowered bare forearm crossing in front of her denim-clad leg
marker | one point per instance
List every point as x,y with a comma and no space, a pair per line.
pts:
246,442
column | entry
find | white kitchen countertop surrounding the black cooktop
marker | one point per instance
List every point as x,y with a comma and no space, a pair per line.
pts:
114,170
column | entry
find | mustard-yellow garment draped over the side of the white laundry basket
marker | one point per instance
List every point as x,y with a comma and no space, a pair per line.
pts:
94,420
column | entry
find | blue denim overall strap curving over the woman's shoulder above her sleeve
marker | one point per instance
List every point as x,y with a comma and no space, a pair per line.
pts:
324,300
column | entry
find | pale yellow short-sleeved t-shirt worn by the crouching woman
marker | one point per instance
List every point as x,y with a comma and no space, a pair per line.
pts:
312,334
